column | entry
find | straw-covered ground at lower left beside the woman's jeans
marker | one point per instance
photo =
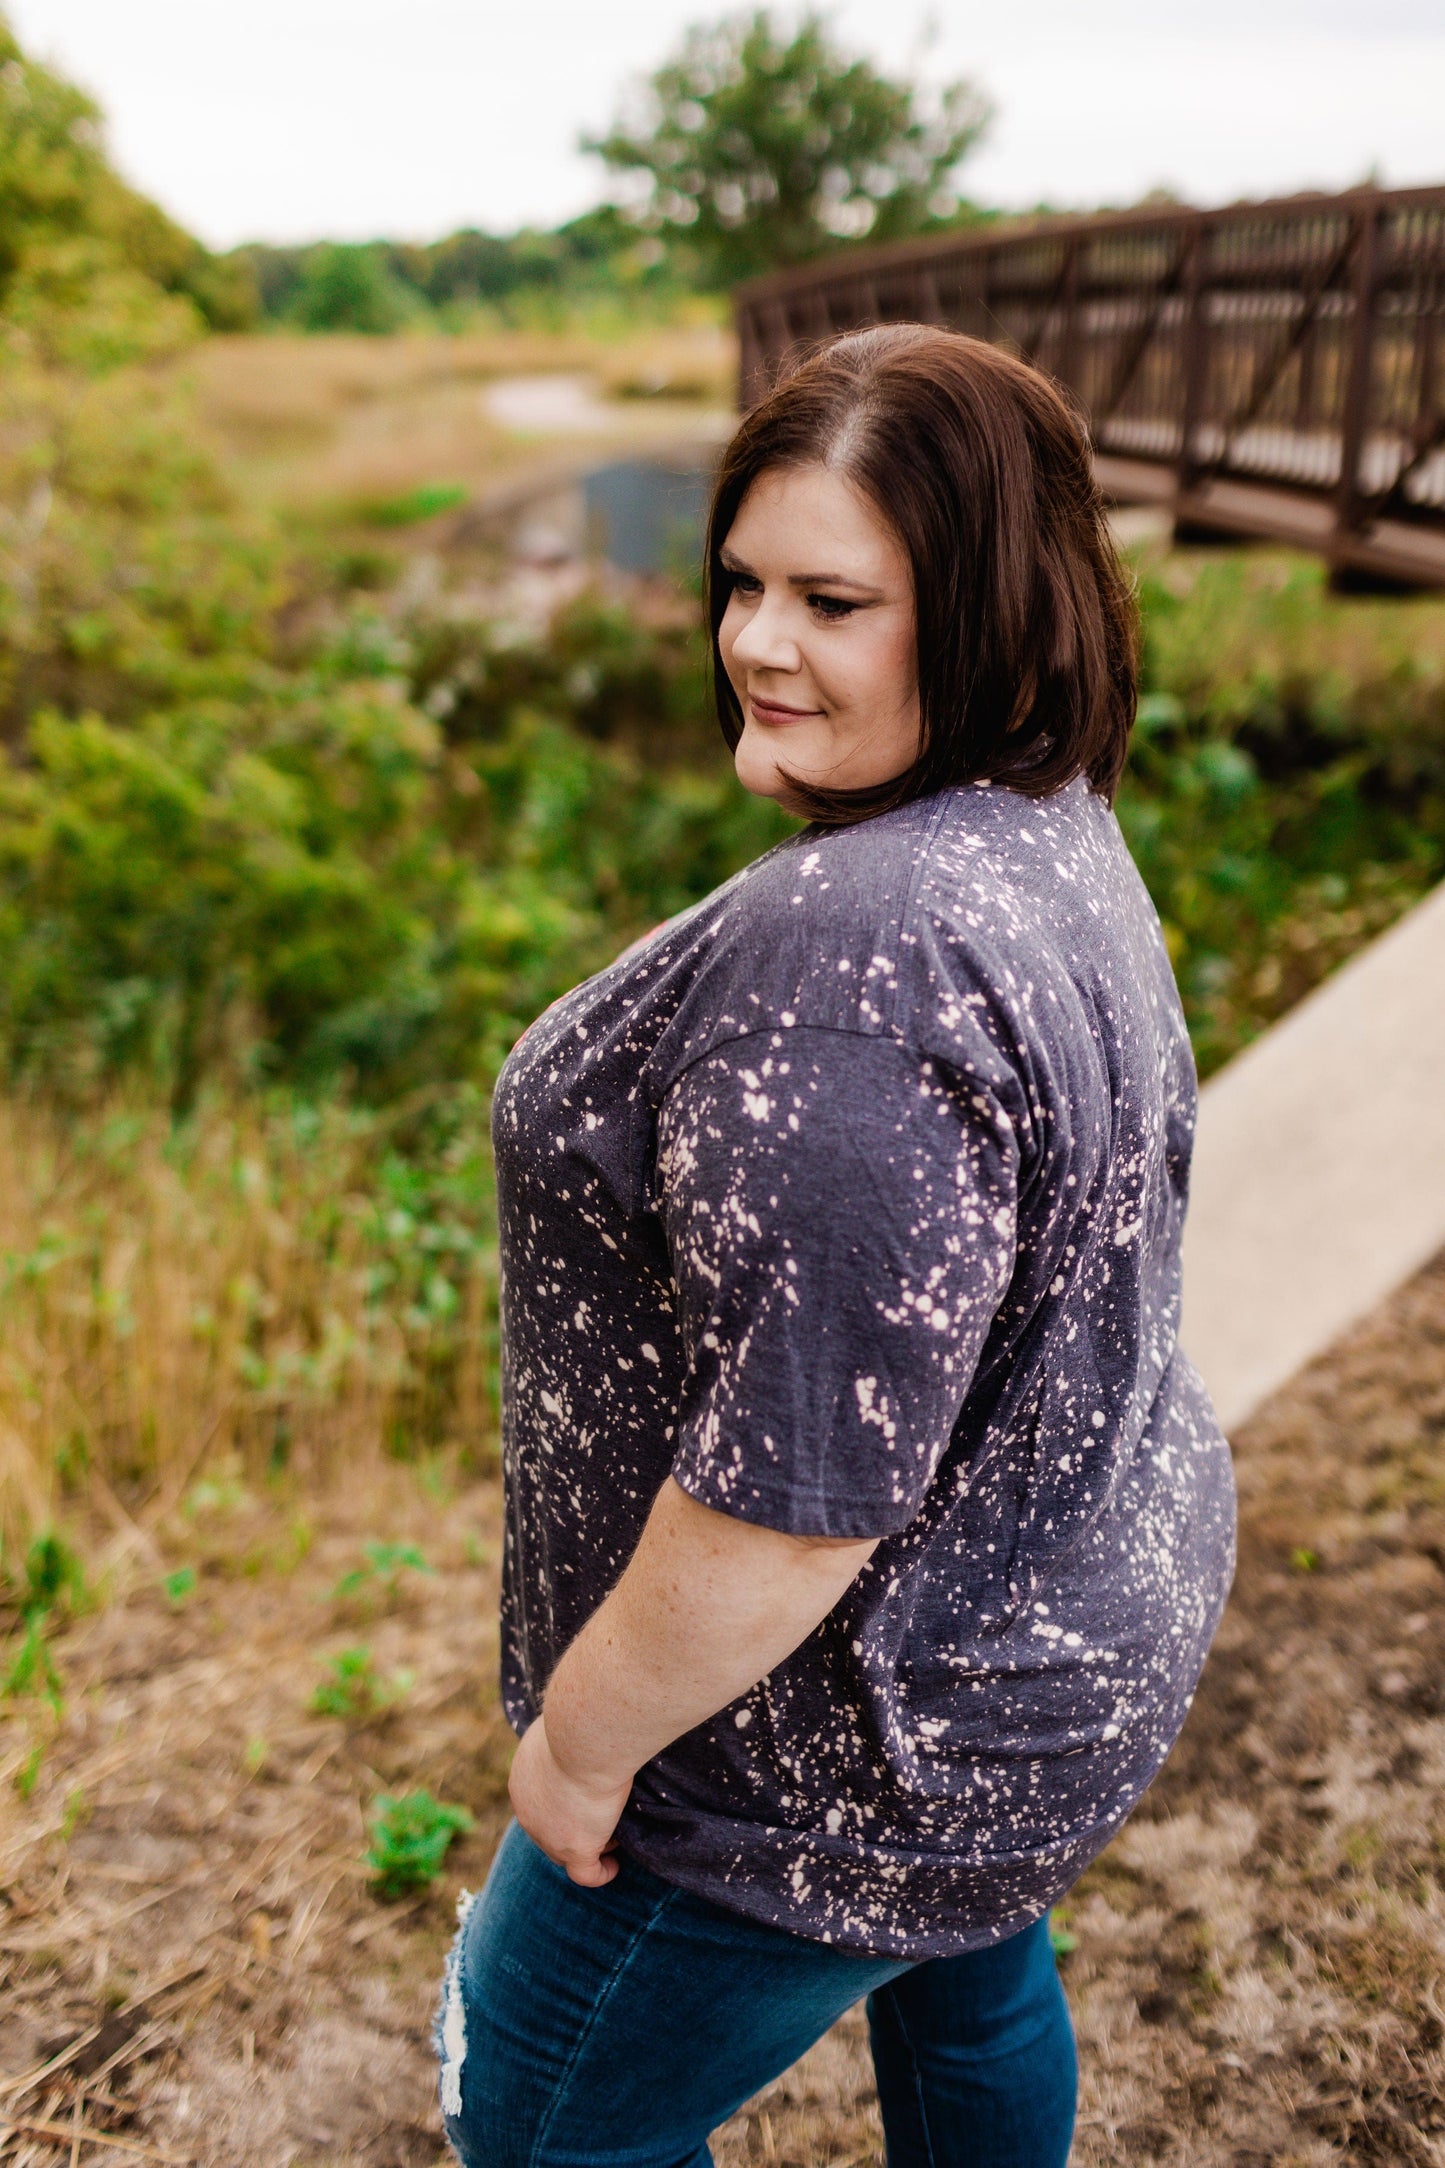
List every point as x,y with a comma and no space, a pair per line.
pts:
190,1937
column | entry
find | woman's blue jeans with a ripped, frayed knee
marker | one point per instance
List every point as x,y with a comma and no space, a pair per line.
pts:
616,2028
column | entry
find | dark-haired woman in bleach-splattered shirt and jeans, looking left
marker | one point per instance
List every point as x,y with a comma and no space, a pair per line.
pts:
865,1525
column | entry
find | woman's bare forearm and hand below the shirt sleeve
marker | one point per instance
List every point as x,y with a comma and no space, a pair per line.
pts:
705,1610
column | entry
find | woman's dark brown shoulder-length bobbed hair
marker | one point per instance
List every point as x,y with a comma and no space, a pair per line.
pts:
1028,625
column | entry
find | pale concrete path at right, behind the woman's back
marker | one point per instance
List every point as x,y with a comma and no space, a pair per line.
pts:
1320,1167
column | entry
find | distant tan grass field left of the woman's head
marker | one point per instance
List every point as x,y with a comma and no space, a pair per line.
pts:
322,424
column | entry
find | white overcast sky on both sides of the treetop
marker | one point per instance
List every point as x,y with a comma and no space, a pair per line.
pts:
294,118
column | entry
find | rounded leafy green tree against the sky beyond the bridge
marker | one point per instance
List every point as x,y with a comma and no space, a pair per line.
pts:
766,149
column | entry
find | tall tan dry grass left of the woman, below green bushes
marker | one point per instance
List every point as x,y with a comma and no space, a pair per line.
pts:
226,1293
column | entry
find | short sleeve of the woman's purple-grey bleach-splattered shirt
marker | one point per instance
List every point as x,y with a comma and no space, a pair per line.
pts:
842,1224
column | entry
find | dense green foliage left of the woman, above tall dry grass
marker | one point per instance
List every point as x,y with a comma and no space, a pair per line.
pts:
374,868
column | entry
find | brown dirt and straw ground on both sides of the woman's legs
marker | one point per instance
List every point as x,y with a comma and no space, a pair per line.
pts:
194,1963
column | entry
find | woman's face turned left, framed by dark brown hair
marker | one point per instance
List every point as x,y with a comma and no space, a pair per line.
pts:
820,638
